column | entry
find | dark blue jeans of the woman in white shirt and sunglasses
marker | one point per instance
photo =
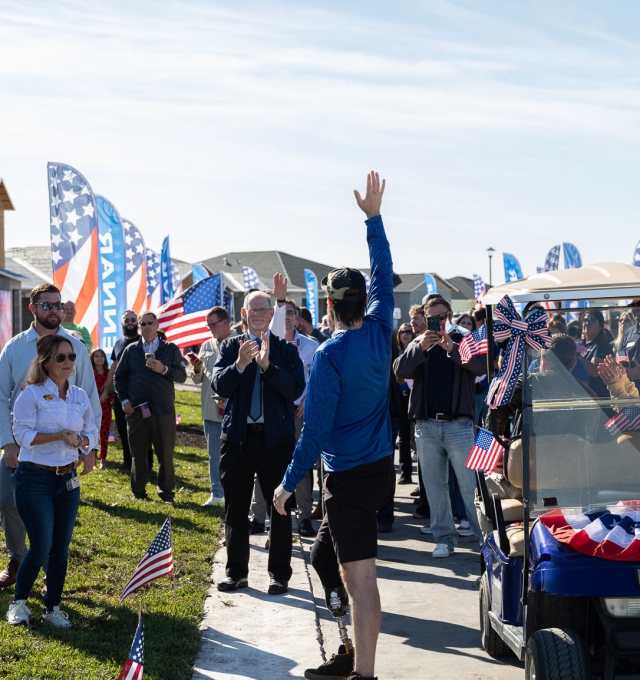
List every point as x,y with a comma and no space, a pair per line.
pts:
48,512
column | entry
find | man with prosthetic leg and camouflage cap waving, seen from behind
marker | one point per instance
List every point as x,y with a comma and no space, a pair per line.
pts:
347,422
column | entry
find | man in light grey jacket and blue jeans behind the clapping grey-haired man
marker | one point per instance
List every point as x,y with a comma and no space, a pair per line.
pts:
212,405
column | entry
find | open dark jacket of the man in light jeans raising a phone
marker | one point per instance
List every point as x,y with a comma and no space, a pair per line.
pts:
412,364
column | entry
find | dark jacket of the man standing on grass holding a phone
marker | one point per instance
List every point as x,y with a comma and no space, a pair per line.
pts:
137,383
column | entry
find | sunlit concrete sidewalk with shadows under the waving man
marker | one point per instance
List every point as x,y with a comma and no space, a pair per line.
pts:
429,622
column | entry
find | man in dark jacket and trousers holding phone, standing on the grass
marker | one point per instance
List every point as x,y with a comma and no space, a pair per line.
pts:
144,381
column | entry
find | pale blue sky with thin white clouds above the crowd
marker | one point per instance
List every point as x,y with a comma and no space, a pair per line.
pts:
246,125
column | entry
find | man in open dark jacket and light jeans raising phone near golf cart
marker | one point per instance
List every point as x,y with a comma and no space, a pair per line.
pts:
442,402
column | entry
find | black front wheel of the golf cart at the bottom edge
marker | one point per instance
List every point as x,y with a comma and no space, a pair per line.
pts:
556,654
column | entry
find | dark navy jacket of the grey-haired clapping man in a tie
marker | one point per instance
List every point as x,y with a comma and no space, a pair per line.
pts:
282,383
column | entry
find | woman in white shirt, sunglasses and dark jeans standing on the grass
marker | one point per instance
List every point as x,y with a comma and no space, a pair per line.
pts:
52,423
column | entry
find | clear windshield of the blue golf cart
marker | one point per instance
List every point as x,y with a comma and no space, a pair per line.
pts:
583,443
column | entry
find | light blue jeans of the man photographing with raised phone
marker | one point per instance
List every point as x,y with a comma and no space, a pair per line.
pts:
440,443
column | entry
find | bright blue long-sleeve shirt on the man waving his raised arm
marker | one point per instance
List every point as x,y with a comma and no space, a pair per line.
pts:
347,407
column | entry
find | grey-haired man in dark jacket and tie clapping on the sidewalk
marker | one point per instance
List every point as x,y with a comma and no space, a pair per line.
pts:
261,376
